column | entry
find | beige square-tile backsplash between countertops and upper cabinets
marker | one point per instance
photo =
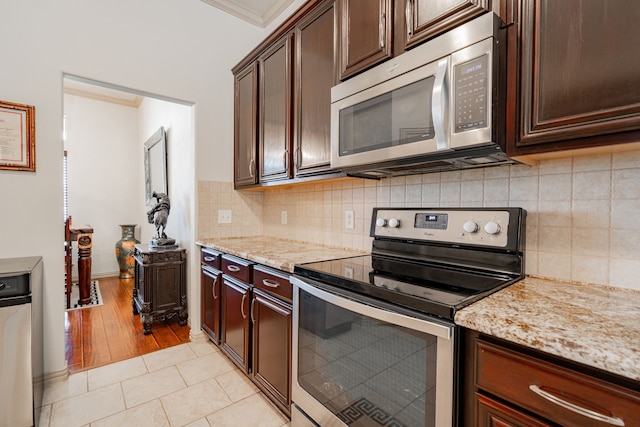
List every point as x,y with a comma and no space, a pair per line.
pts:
580,222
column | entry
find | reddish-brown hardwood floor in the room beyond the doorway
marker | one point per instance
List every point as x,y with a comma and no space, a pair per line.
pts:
109,333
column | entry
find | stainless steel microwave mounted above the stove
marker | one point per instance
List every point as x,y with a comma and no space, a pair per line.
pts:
439,106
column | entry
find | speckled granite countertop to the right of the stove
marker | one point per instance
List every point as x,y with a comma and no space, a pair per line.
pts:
594,325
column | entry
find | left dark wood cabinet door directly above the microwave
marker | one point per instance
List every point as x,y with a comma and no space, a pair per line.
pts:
364,34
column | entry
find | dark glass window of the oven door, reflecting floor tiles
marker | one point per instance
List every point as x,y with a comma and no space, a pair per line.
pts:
365,371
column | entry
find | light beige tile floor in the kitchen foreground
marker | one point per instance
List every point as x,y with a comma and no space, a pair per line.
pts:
190,384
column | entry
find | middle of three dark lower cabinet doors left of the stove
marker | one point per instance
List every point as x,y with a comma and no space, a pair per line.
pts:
235,321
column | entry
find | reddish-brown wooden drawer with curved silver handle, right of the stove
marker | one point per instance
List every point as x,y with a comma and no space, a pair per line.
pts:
558,394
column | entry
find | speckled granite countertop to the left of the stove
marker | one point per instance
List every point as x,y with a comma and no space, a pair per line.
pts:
277,253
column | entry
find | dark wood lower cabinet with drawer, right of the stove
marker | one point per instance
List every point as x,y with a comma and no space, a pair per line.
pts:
513,386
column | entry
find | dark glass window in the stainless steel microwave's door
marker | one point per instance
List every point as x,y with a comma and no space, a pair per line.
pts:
398,117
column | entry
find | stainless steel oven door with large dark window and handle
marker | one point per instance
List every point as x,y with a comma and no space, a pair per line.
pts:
357,362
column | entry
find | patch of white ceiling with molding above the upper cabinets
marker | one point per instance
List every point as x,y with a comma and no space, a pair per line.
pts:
256,12
